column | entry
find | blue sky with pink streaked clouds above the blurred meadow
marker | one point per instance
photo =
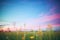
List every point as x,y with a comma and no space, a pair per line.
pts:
30,12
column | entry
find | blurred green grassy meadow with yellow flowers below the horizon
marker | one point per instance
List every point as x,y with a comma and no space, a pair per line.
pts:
29,35
